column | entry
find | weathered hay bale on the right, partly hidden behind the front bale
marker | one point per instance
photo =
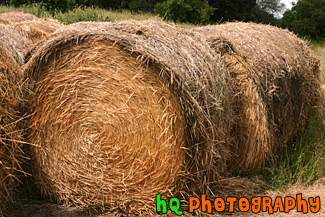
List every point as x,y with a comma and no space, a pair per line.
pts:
277,81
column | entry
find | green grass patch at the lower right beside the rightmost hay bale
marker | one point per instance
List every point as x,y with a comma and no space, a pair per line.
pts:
303,161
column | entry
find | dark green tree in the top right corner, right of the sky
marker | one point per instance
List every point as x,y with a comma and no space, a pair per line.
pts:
306,18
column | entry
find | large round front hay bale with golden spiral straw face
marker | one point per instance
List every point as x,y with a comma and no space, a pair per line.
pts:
123,111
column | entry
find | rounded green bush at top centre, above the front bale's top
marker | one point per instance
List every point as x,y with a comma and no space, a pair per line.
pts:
193,11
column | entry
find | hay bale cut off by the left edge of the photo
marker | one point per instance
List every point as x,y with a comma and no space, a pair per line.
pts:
11,155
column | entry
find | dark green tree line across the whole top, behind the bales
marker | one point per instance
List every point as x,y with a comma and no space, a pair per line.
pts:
306,18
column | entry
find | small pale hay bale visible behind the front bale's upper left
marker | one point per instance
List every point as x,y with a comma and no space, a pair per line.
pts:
37,29
